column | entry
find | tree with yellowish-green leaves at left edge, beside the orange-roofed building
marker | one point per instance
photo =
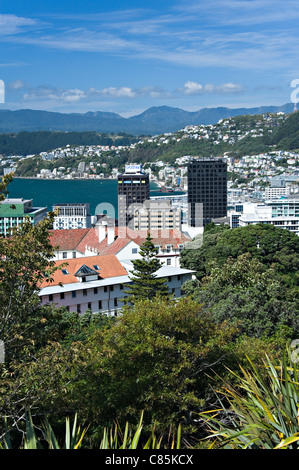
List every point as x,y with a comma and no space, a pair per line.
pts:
24,265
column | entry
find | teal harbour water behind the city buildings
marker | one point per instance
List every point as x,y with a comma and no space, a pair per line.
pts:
46,193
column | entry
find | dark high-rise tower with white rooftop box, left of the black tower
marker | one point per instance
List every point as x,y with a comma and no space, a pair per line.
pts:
133,190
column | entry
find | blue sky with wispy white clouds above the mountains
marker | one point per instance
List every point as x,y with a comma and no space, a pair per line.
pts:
126,56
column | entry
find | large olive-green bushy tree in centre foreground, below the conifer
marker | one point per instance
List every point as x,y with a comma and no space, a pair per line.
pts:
154,359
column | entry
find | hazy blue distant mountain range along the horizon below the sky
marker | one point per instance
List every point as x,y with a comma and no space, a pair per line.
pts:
153,121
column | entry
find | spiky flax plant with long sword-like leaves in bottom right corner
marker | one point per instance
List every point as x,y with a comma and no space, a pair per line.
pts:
263,413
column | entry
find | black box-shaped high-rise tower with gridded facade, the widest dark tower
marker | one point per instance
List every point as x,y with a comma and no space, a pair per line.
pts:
207,190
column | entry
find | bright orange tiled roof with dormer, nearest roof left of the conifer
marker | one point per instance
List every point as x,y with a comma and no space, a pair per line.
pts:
109,266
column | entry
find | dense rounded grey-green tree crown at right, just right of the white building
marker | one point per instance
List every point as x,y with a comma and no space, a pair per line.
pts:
245,291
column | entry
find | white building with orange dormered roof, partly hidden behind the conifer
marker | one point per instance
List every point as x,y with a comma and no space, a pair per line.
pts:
98,284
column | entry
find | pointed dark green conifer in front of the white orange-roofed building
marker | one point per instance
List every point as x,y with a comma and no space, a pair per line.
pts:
145,283
